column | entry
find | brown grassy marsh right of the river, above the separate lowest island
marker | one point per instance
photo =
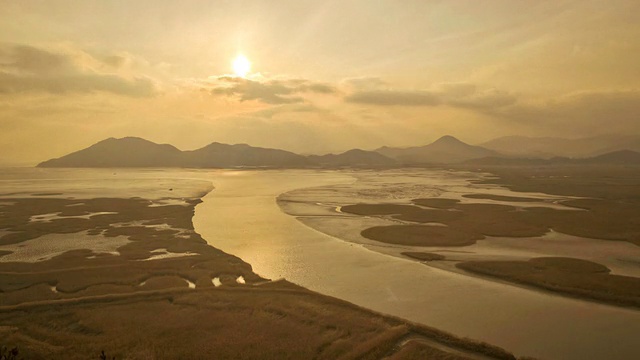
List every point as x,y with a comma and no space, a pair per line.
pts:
615,216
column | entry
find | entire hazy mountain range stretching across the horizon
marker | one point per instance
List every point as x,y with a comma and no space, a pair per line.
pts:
138,152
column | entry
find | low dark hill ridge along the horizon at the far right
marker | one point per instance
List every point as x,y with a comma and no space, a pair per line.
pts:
622,157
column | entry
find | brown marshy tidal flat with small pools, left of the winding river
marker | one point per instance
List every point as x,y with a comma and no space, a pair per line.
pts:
87,265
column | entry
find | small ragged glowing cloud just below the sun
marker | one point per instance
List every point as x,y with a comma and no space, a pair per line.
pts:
273,92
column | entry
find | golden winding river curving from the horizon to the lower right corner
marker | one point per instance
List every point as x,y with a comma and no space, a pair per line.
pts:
241,217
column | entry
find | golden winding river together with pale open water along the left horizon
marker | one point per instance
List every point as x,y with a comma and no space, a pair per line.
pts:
242,217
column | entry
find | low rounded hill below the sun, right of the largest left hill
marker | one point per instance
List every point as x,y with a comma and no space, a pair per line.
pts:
217,155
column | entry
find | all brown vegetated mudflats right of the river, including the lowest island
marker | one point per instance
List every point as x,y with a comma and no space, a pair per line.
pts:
599,202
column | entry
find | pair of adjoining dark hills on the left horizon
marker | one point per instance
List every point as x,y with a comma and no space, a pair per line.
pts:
137,152
